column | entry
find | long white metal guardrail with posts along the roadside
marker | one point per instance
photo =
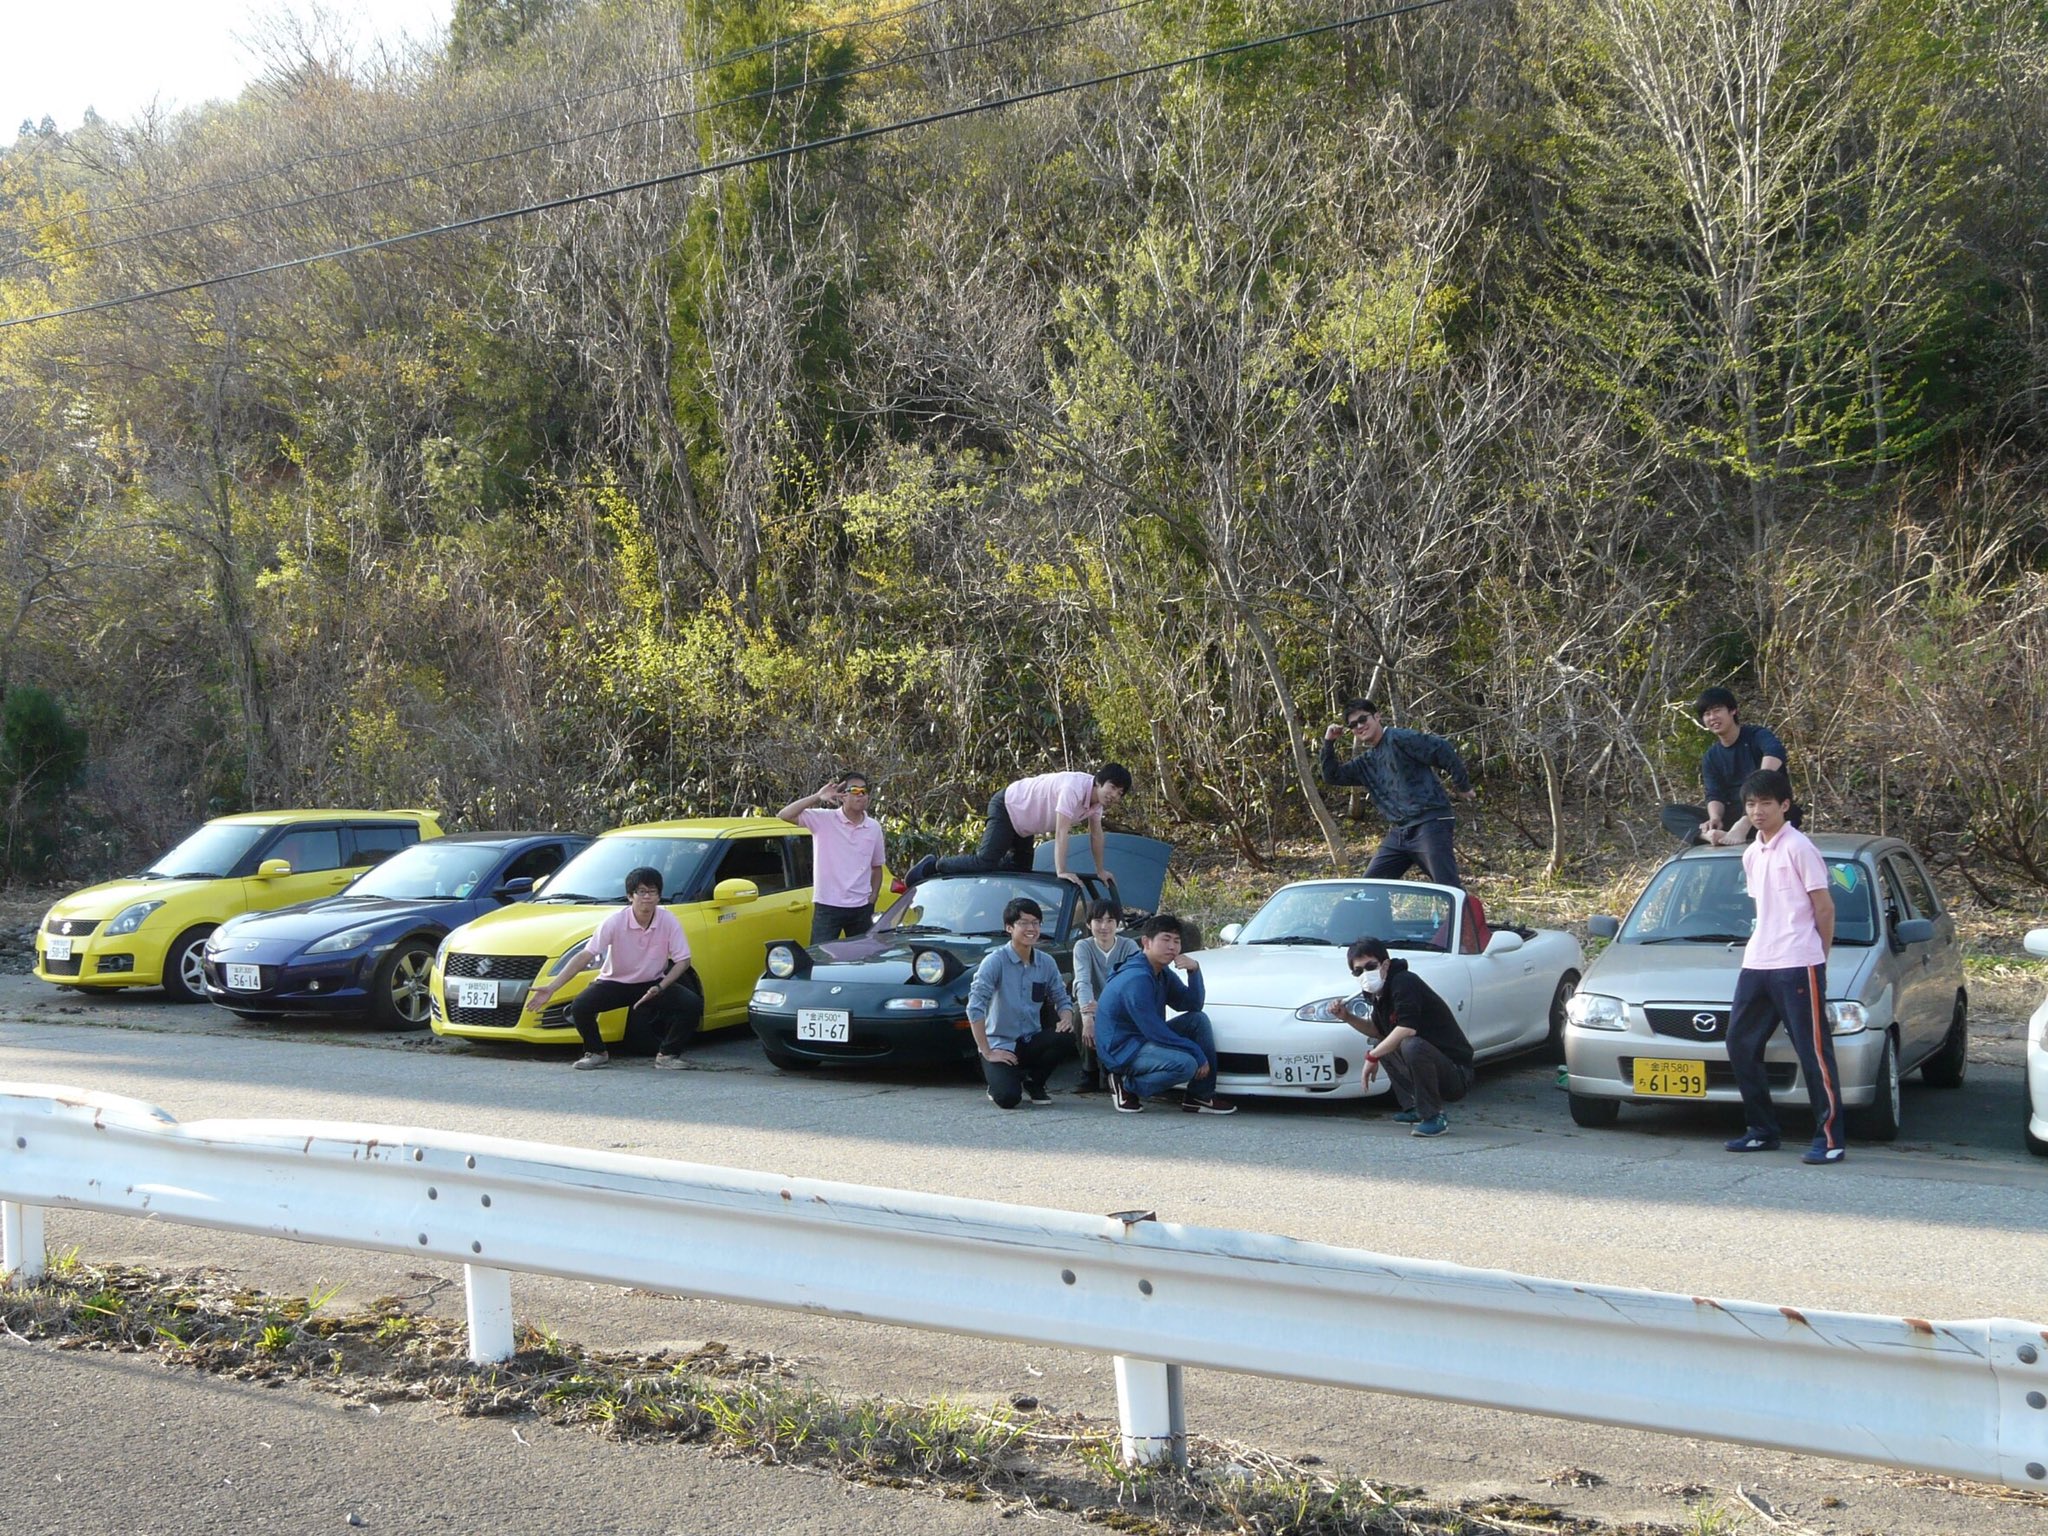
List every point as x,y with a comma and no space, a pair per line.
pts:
1947,1398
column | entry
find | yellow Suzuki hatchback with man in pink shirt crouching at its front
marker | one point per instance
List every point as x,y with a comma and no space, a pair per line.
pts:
736,884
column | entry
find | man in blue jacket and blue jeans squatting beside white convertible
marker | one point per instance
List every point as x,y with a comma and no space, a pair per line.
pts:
1140,1046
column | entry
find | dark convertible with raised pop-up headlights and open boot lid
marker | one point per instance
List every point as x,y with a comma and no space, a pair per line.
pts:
900,992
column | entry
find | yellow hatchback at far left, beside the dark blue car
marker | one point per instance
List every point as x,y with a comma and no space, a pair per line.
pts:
153,931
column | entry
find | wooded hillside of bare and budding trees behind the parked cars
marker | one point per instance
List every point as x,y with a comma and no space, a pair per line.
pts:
1525,364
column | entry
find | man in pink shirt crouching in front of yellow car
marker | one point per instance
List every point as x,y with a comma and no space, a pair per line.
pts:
644,957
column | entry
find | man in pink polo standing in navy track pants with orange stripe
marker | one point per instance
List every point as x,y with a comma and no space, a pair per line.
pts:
1785,972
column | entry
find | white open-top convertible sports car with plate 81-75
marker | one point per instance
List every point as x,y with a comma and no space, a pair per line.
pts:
1277,980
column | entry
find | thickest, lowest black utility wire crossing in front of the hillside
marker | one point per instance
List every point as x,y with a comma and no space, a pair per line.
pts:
742,163
